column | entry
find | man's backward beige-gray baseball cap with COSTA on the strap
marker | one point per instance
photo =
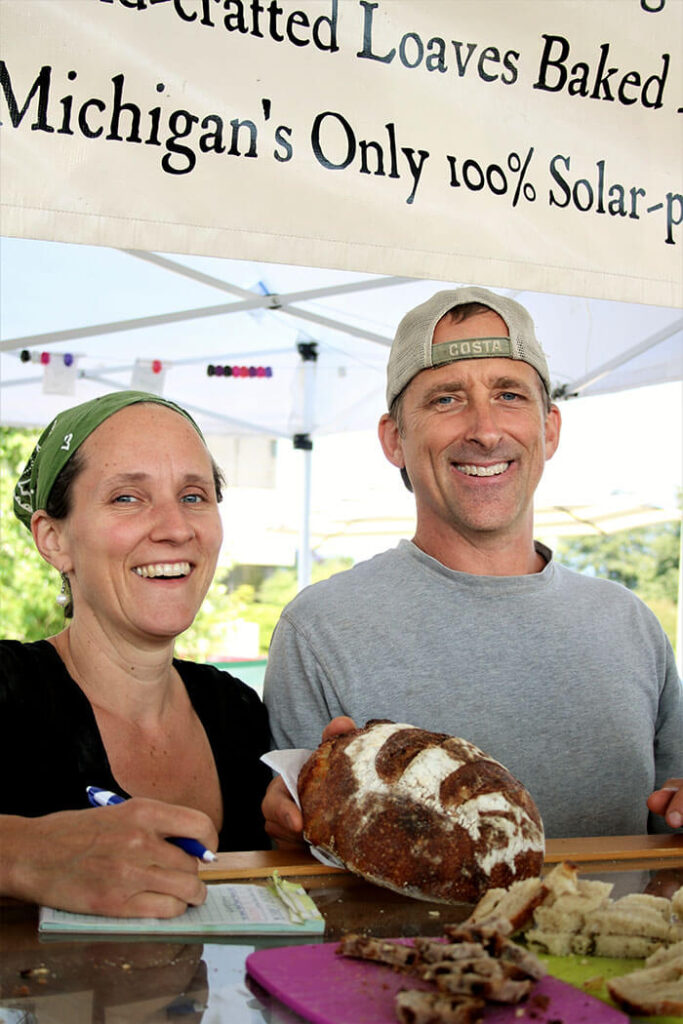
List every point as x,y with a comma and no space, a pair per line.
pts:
413,352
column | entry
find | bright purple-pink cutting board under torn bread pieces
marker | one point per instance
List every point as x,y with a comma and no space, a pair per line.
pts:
326,989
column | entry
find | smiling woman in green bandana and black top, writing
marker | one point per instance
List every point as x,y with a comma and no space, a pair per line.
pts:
121,496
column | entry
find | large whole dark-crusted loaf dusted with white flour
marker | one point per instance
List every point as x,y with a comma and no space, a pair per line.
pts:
424,814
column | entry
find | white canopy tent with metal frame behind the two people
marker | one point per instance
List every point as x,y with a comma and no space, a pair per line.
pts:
323,336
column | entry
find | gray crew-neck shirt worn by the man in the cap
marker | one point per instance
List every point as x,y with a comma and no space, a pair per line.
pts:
568,680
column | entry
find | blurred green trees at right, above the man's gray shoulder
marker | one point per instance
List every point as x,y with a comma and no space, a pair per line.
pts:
646,561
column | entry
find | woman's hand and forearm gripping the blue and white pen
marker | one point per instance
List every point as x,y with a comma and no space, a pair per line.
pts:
110,861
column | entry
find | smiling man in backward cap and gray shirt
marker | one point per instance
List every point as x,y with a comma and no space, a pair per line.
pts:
473,629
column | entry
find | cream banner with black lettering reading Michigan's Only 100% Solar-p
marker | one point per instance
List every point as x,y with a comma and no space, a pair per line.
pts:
518,143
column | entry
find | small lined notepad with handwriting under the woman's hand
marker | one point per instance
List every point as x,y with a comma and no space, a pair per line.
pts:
230,910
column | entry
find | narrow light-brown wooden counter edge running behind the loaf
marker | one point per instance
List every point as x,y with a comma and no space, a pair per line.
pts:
261,864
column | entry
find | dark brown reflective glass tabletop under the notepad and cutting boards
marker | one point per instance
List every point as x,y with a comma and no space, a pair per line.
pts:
142,982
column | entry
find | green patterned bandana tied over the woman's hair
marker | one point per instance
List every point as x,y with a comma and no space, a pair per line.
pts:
63,438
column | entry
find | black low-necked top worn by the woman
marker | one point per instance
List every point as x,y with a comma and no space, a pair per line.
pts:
51,747
